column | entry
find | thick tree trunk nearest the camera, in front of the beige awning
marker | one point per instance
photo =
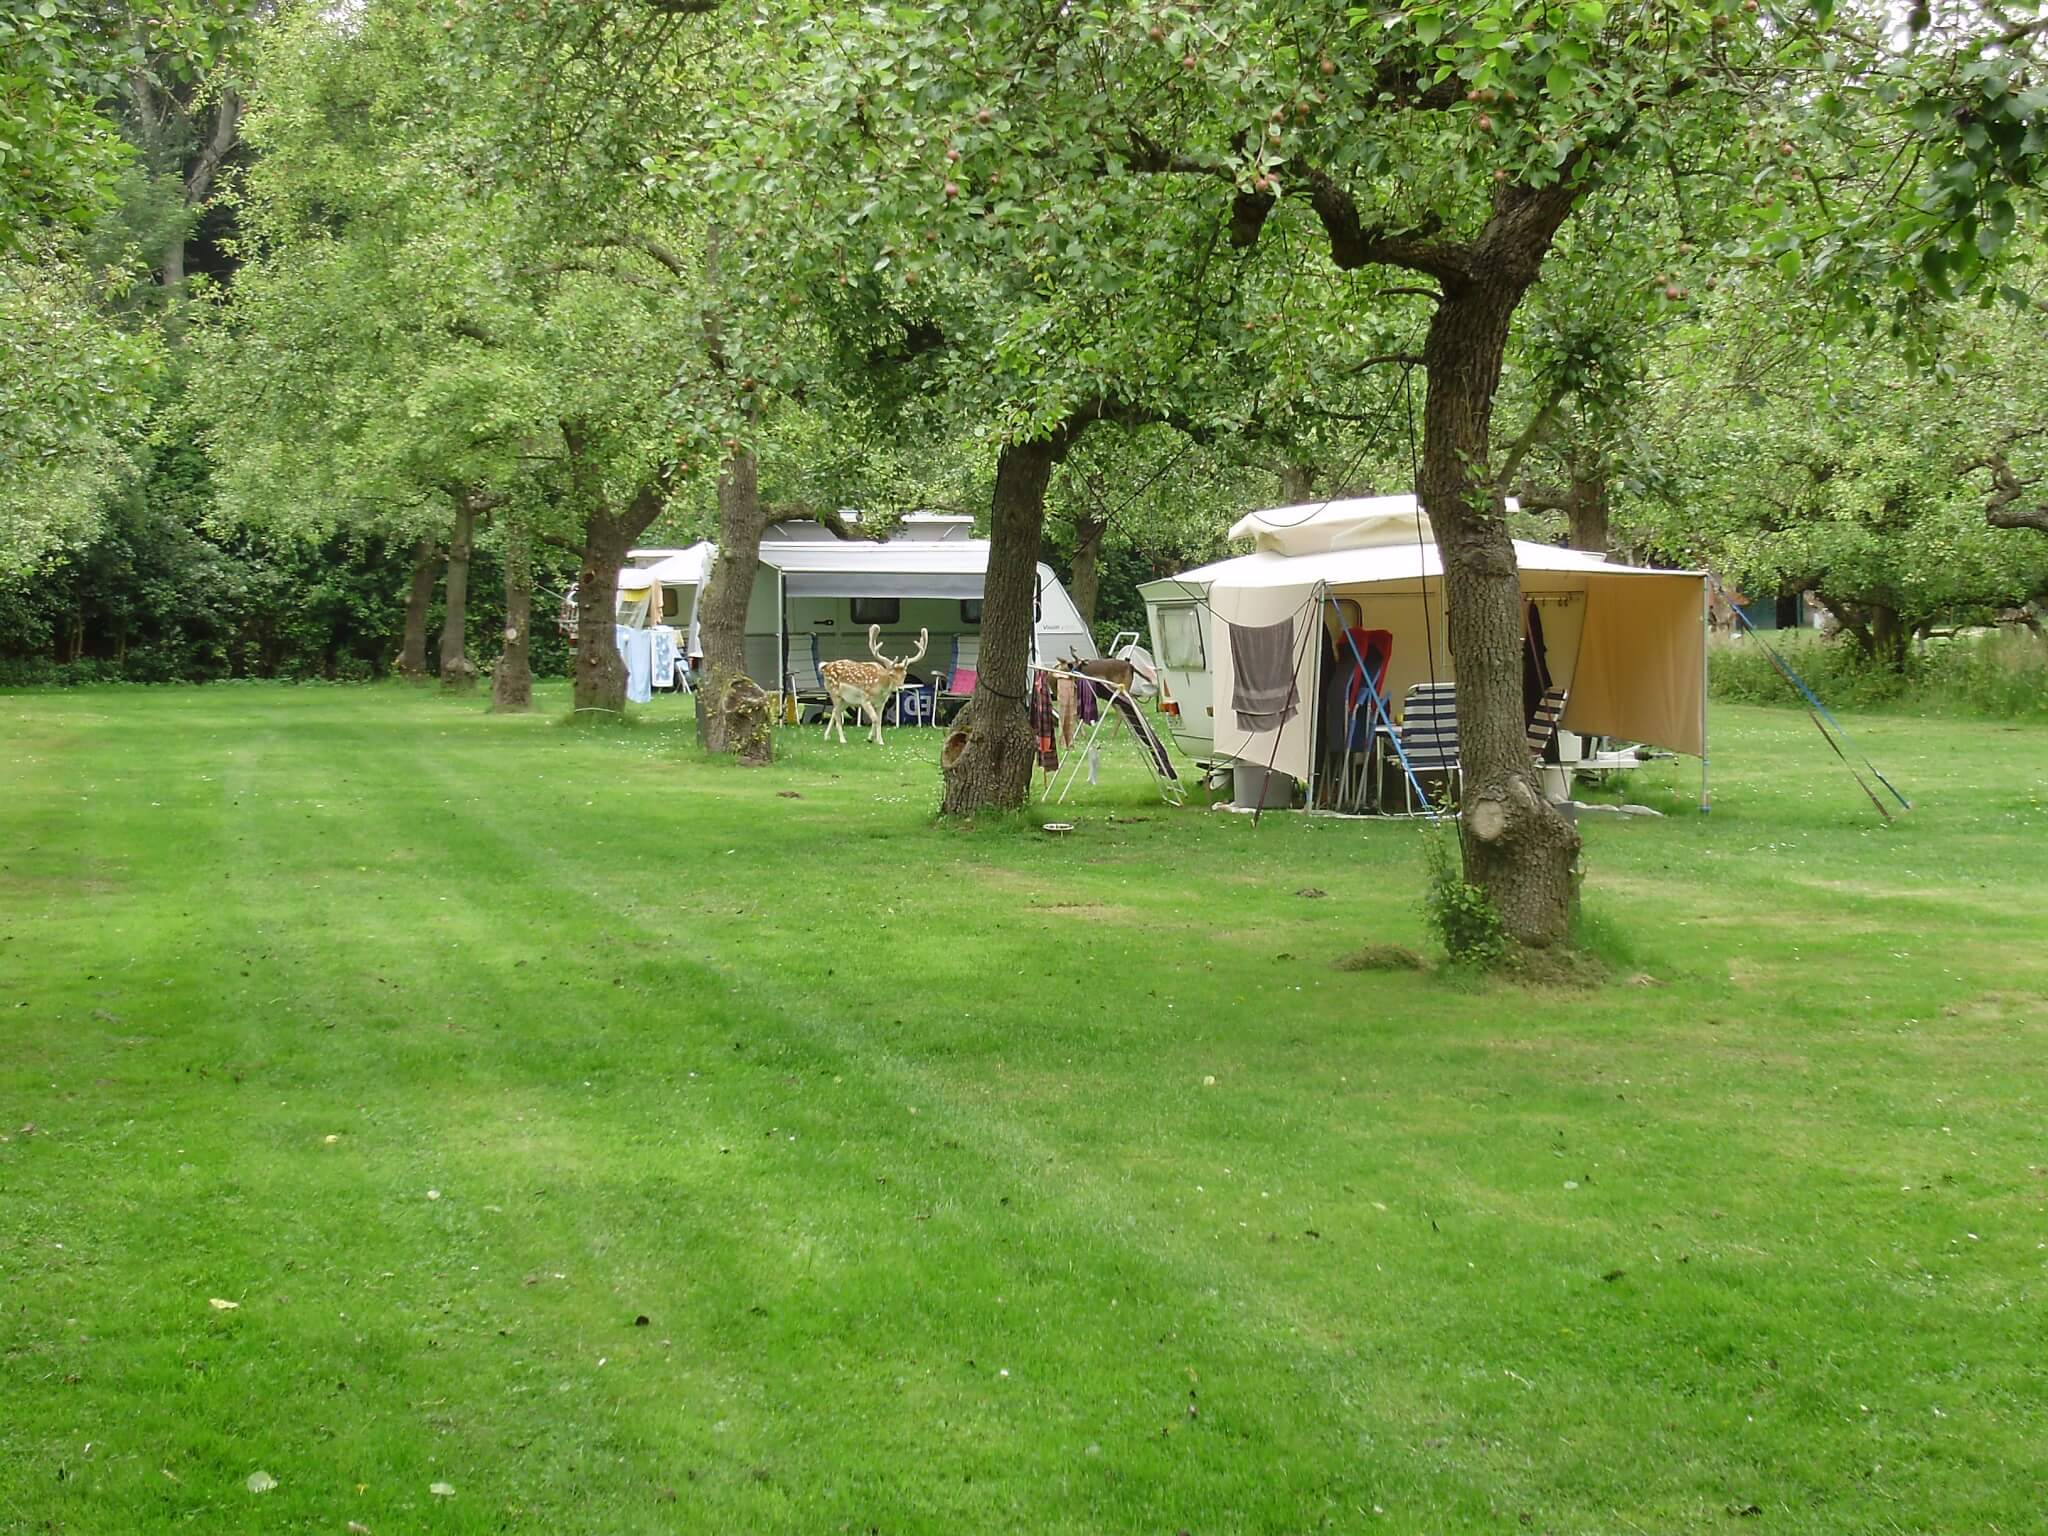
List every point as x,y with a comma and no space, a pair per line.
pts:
1517,845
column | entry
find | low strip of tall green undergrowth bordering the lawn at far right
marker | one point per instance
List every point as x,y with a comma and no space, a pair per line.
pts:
1988,675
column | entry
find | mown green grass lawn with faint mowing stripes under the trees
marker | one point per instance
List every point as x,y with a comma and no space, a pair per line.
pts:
636,1144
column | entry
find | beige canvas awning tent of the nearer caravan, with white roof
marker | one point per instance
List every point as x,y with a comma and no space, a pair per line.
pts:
1627,642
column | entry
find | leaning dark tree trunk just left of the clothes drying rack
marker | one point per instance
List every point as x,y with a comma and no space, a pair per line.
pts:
994,769
